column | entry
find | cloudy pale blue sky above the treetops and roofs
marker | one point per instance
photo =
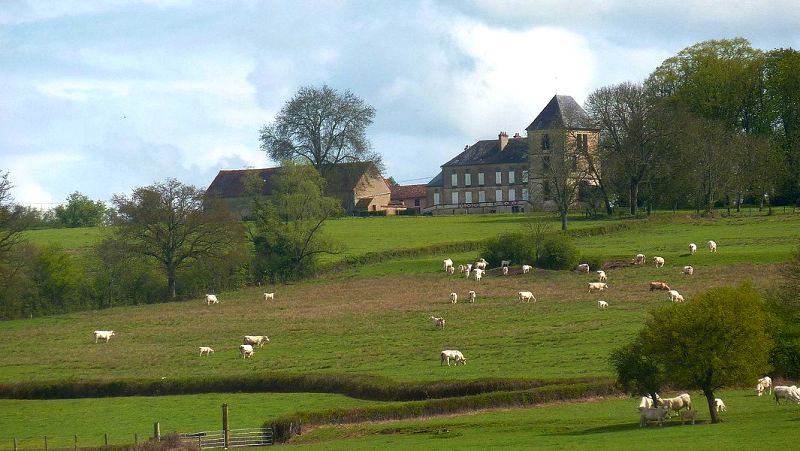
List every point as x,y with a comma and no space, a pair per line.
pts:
102,97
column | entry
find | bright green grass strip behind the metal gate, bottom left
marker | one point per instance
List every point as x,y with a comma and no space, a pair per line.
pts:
30,420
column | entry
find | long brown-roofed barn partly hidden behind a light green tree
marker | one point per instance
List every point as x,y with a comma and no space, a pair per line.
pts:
358,186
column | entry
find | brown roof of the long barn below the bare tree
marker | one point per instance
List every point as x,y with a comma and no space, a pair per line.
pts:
340,178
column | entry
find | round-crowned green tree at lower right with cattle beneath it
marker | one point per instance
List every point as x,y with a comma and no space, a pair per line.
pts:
717,339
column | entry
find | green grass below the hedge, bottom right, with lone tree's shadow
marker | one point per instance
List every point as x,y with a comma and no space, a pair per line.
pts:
750,423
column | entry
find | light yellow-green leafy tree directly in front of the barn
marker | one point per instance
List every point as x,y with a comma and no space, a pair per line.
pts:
287,233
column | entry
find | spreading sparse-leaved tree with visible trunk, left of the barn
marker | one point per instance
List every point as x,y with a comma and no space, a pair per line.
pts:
175,224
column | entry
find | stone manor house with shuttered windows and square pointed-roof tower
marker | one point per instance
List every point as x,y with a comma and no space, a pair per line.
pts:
509,174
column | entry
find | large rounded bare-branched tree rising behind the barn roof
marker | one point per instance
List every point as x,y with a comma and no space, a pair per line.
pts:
321,127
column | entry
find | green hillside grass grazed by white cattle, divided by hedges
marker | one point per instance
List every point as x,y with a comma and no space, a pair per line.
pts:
373,320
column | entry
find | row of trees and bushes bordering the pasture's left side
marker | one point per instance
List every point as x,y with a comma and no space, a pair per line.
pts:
166,241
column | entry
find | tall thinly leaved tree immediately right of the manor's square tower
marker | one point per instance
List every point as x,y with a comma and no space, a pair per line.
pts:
630,129
